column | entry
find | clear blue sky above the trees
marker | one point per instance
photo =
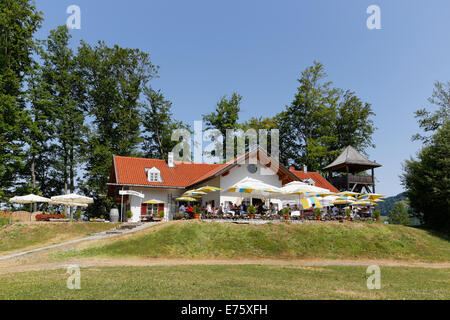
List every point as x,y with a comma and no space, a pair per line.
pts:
207,49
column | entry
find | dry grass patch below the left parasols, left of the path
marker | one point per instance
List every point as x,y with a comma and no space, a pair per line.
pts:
29,235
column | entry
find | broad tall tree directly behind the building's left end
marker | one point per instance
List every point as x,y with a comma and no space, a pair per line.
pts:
115,80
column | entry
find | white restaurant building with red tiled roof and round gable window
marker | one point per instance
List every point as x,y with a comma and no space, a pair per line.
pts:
134,181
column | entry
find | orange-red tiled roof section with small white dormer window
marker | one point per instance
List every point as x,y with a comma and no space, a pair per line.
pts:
131,171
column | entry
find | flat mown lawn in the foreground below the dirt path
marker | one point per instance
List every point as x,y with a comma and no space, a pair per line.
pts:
229,282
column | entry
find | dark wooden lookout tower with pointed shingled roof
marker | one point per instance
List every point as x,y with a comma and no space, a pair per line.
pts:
348,167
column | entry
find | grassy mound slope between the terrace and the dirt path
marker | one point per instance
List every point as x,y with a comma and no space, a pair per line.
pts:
278,241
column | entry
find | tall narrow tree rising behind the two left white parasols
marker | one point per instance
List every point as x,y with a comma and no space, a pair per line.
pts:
65,88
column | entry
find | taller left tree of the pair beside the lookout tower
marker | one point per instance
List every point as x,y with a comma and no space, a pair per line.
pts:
306,125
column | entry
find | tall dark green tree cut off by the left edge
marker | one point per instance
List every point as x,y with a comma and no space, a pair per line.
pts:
19,19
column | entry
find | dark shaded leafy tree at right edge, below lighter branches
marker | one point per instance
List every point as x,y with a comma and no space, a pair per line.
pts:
427,180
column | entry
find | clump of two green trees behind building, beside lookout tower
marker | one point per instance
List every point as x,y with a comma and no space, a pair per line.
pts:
321,121
